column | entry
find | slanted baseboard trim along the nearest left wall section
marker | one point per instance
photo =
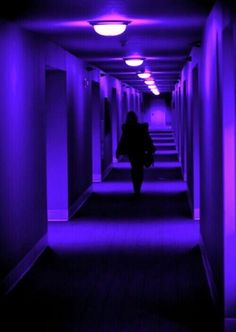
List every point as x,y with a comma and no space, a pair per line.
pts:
17,273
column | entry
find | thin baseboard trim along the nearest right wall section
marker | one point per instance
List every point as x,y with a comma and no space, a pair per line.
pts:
209,273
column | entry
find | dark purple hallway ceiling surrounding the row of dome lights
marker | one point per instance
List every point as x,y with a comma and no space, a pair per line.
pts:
162,31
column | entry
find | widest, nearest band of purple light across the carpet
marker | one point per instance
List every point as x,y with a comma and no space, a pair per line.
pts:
94,236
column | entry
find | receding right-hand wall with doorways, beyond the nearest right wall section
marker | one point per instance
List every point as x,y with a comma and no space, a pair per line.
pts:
186,119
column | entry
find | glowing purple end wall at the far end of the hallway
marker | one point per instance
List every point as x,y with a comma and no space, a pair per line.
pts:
157,110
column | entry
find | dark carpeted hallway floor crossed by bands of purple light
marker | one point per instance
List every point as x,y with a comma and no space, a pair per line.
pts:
123,263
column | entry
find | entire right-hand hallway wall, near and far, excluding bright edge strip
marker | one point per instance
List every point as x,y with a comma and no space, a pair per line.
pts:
188,111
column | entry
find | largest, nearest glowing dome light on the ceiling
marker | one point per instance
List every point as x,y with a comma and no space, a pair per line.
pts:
109,28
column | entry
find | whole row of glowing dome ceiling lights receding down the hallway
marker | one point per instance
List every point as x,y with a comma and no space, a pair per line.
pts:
115,28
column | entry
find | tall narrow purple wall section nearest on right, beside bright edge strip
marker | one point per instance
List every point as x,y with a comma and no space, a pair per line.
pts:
212,227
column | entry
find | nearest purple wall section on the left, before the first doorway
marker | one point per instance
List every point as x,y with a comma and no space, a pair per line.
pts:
23,213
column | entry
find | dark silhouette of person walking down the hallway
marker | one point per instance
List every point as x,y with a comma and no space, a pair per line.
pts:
135,141
